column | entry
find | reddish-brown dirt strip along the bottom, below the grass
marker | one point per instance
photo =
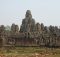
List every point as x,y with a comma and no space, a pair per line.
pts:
32,55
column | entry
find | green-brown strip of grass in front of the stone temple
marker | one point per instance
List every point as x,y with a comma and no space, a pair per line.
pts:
31,51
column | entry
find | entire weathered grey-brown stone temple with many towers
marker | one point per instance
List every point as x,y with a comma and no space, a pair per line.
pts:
30,34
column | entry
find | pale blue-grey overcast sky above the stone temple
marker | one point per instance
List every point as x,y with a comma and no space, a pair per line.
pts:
43,11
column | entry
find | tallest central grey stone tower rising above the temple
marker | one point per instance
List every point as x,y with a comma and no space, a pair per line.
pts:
28,23
